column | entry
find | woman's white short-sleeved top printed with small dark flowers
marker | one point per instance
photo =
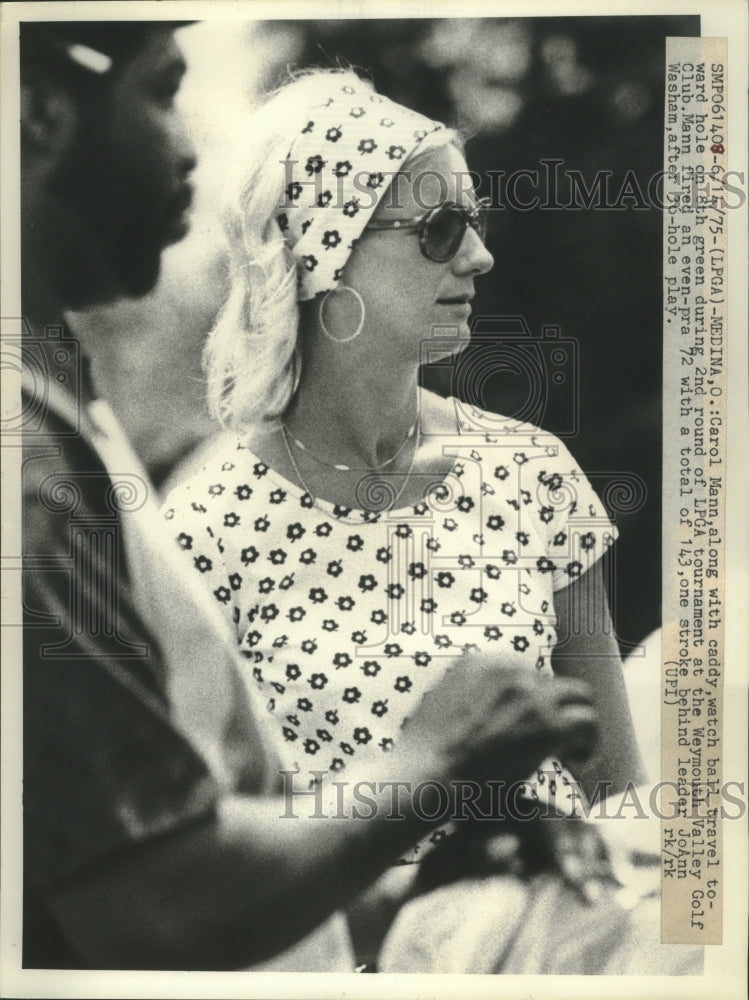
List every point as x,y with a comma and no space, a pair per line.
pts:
346,619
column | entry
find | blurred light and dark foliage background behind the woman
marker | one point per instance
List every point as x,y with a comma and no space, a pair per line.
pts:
586,91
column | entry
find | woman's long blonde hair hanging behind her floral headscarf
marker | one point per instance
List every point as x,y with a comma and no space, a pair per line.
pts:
252,358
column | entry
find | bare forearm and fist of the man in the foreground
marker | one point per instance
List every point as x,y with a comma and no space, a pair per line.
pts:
246,884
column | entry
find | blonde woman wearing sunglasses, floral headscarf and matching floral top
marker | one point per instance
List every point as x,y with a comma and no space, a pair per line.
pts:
357,531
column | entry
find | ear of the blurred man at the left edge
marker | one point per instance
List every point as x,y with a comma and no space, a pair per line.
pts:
48,112
